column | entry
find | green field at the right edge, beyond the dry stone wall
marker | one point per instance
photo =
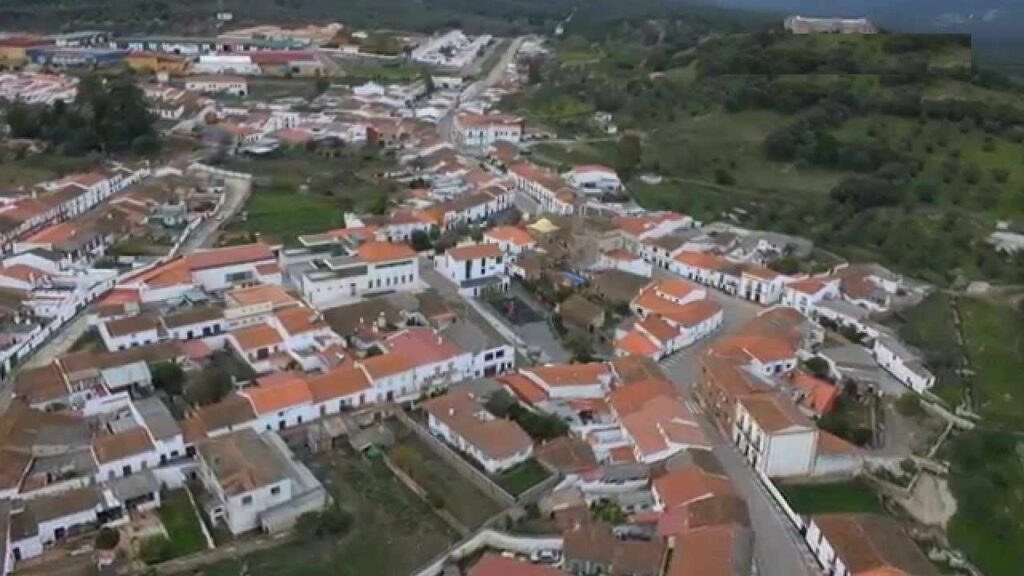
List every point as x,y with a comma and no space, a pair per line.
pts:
996,346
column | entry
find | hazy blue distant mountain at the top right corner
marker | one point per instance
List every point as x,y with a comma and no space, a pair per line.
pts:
987,20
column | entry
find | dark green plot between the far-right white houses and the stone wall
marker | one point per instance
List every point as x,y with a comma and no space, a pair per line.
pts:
930,327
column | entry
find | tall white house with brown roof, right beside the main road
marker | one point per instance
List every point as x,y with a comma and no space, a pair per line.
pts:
775,436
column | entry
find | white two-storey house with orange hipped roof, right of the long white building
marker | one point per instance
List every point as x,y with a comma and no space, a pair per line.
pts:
476,269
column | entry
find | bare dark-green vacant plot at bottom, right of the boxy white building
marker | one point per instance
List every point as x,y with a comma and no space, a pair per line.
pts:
393,531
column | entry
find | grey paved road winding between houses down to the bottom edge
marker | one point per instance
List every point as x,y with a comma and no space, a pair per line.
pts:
779,550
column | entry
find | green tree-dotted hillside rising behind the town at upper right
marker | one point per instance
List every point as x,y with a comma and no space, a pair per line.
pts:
888,148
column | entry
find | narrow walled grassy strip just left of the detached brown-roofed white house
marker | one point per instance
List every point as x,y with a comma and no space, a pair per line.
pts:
462,499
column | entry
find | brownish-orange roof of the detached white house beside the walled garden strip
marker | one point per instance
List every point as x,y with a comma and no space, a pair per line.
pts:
497,438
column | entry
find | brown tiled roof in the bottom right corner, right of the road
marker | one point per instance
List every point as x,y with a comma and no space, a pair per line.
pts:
871,545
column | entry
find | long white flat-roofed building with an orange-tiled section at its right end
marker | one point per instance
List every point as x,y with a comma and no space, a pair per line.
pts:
376,268
